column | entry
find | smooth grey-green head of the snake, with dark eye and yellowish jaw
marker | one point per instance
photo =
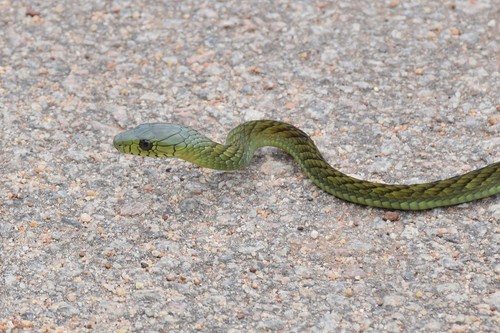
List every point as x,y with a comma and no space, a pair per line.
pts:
153,140
